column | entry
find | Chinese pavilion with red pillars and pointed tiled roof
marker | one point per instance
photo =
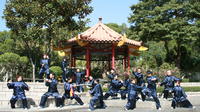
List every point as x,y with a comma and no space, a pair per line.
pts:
100,43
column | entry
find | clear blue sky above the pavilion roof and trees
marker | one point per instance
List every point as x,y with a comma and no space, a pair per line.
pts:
112,11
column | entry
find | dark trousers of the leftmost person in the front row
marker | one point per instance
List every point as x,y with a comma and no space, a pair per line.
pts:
14,99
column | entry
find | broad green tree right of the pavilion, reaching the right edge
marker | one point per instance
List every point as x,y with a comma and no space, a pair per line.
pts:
171,21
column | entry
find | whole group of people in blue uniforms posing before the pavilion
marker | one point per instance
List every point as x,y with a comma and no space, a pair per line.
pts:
132,88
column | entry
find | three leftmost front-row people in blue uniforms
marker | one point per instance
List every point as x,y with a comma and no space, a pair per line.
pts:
19,87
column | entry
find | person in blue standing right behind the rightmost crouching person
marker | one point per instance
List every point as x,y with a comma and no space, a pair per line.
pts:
168,83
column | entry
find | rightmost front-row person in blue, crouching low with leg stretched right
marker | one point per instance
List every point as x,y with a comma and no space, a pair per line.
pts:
180,98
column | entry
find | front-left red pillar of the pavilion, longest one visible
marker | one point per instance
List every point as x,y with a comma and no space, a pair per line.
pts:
87,62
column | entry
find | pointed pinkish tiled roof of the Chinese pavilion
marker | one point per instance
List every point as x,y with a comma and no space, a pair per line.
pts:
101,33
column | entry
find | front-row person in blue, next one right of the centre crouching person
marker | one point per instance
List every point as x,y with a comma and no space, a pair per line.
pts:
132,94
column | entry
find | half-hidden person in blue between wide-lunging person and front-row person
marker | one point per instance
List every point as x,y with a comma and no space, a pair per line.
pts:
126,83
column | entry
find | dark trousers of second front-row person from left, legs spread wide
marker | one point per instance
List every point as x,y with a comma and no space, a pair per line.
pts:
58,98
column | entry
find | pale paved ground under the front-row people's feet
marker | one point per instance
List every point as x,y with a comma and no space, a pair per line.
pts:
117,105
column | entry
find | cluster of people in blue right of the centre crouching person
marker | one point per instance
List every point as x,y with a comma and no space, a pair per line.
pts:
136,85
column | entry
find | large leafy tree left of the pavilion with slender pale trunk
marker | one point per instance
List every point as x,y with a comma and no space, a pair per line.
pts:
40,24
